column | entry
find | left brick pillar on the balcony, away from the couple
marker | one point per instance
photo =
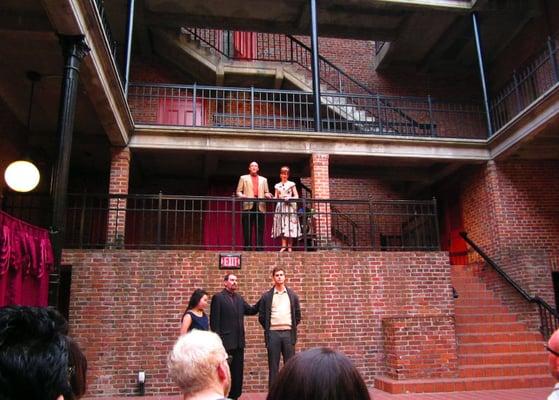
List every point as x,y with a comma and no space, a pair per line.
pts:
118,184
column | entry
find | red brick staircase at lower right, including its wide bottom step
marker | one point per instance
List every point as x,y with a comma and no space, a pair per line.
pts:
495,350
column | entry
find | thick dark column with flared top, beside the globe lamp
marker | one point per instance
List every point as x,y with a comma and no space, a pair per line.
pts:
74,50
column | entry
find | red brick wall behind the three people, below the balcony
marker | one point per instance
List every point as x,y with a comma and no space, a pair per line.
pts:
126,305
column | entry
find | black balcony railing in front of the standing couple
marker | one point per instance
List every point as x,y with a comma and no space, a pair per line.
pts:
215,223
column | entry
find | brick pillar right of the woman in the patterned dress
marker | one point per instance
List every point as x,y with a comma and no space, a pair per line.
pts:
320,185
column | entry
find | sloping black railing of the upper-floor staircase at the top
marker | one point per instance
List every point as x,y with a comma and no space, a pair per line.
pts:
286,48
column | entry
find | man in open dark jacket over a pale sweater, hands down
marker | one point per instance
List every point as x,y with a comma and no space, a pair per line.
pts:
279,313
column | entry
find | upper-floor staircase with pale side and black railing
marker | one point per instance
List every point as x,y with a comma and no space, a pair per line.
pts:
345,101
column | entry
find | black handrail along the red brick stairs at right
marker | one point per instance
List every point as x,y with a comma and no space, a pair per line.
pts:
549,318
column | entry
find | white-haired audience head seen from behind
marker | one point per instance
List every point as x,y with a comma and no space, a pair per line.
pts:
198,362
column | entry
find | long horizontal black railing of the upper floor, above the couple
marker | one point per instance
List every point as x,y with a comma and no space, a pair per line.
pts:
266,109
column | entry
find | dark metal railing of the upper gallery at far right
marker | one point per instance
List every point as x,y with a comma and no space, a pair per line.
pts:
526,85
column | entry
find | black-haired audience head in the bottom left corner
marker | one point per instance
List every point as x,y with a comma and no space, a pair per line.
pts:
37,359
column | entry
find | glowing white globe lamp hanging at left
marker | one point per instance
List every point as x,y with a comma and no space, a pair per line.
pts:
22,175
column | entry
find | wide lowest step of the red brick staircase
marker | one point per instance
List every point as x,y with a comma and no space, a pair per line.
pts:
462,384
